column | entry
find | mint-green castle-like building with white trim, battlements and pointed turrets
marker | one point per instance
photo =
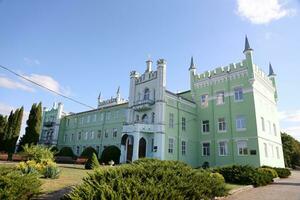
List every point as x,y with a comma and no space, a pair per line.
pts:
229,116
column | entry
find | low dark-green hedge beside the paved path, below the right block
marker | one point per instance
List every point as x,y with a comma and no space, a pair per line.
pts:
245,175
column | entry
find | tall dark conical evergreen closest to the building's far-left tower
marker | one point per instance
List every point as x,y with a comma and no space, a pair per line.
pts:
34,125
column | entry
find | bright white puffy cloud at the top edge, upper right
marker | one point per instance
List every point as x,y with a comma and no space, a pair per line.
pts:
262,11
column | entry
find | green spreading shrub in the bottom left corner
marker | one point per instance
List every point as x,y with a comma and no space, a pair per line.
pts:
17,186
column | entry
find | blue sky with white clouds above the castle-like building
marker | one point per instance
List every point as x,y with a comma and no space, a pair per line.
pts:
80,48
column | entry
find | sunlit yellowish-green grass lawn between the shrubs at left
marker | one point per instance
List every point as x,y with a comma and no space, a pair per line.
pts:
70,175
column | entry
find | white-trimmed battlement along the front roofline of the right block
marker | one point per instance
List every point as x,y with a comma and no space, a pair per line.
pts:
233,67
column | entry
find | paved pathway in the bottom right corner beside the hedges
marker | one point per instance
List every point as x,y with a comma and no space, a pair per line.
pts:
282,189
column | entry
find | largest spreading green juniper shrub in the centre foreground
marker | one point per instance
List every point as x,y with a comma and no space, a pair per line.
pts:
150,179
